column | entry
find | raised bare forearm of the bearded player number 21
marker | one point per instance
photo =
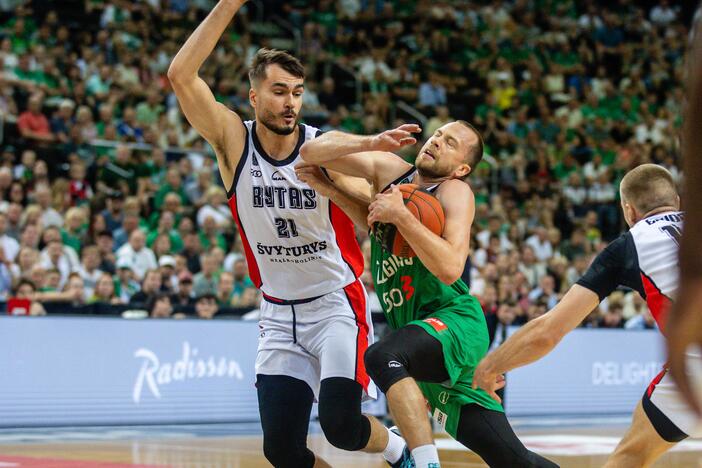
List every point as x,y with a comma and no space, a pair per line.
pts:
203,40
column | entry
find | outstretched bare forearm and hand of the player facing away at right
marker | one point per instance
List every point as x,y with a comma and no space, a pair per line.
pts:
535,339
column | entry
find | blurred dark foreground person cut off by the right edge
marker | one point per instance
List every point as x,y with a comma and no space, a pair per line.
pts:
685,321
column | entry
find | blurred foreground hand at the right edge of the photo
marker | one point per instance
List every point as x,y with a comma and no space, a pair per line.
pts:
684,329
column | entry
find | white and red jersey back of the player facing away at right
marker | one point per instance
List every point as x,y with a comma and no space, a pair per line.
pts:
657,240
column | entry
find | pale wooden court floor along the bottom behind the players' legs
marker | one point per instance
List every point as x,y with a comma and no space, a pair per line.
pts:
576,448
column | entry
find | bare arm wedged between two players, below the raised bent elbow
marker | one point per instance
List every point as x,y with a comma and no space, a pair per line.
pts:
351,194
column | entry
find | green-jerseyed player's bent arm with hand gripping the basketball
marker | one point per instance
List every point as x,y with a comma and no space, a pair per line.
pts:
444,256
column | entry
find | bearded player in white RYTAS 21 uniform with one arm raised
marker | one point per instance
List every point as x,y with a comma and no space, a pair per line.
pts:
301,251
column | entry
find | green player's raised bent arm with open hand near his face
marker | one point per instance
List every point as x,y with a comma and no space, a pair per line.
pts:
369,157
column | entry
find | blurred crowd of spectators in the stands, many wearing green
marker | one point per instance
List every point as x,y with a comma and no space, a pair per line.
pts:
109,196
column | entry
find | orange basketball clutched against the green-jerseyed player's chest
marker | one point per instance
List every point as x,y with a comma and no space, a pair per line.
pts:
424,206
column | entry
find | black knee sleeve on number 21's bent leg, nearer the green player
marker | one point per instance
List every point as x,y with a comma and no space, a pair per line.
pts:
340,414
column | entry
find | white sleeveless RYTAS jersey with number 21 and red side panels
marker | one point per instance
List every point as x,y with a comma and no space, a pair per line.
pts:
298,244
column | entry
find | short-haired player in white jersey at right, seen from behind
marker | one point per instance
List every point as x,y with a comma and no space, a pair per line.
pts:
644,259
